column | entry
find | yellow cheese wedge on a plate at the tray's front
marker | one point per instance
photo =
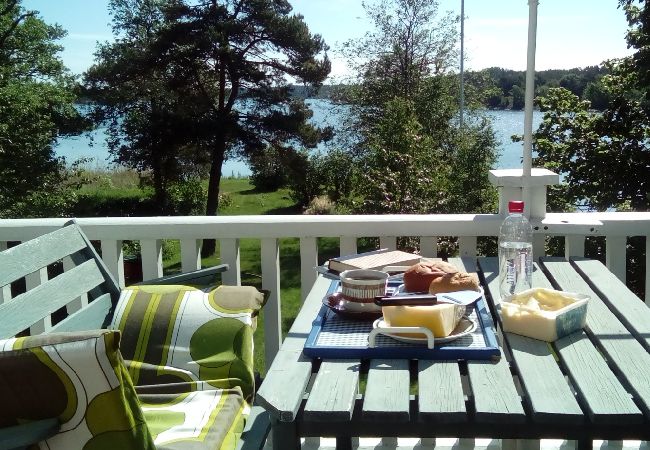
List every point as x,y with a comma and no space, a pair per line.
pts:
441,319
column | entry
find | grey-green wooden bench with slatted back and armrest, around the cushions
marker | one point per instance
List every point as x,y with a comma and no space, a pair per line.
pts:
82,297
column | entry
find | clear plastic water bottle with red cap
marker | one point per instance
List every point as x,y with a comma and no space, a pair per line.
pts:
515,251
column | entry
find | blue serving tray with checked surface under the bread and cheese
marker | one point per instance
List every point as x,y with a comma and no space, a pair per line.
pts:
334,336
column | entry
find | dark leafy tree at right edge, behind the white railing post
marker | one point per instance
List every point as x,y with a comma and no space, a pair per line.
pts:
604,156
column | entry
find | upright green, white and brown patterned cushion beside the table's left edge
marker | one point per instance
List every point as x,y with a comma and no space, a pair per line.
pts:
181,334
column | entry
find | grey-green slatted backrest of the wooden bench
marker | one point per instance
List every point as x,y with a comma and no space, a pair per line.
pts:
83,282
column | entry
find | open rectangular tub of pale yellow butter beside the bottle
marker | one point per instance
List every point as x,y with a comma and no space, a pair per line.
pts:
544,314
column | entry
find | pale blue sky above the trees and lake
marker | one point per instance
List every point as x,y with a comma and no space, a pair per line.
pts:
570,33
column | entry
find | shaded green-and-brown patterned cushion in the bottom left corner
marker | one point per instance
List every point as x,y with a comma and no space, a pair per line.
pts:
78,378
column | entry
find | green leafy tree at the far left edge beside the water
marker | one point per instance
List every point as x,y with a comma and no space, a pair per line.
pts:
37,97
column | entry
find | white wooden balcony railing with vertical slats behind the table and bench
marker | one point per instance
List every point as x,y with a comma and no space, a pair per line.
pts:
228,230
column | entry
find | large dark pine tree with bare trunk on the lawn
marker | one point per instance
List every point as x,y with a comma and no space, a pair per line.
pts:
197,82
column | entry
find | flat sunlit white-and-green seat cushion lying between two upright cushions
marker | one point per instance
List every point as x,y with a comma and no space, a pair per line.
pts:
204,418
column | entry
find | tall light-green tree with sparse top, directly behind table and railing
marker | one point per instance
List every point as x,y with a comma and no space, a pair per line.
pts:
404,105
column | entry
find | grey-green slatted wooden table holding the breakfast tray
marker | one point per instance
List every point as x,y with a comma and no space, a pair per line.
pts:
593,384
